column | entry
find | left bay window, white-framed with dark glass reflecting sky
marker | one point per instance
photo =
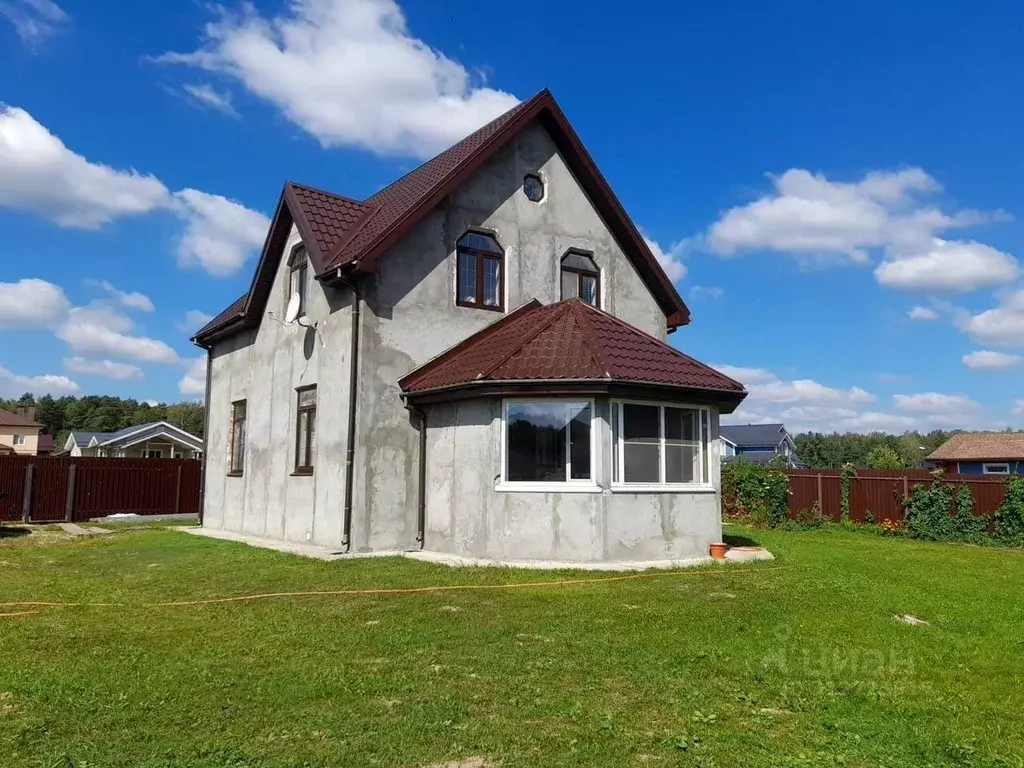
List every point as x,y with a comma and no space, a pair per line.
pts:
548,442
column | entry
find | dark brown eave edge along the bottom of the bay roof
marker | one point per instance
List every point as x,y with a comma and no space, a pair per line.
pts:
724,401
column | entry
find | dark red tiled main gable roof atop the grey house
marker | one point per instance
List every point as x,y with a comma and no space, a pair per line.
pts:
348,235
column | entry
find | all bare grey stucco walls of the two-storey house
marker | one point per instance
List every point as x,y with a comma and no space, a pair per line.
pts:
410,317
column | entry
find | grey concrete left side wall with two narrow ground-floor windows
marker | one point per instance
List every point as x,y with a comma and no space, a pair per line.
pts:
265,367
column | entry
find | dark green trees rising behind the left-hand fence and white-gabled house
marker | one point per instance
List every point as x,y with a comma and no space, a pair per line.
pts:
105,414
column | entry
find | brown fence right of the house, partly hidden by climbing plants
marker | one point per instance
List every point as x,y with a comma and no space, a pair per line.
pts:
881,492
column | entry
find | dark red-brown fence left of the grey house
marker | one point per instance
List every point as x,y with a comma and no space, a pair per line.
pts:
44,490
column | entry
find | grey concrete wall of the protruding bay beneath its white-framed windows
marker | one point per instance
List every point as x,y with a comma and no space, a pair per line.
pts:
467,516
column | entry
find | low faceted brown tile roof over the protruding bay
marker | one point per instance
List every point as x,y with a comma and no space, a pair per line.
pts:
570,342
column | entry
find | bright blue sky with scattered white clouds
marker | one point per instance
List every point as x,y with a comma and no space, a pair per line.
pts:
836,193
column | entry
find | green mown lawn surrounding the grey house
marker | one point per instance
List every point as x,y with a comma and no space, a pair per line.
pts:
795,666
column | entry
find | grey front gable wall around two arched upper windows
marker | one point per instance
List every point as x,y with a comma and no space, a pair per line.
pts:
412,317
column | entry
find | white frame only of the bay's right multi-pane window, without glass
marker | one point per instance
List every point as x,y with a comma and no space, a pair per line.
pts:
704,451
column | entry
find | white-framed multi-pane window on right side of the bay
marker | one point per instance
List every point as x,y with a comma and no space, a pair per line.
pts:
656,445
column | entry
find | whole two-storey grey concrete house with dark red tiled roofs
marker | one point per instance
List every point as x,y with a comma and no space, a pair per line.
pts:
479,369
